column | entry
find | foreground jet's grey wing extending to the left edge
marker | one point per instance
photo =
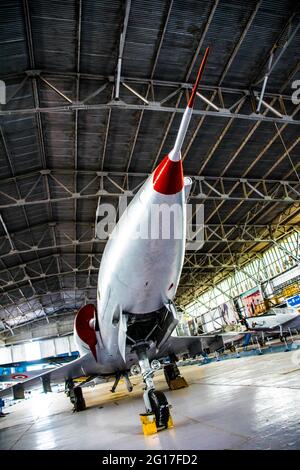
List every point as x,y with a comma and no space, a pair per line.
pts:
83,366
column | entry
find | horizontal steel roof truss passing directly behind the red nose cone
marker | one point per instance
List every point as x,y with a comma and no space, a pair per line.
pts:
205,188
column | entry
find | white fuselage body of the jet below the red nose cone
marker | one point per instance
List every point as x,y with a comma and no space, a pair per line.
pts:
139,273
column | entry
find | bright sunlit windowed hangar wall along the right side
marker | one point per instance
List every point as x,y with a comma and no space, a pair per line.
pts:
270,272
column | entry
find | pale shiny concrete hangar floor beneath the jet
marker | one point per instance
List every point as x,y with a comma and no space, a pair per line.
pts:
246,403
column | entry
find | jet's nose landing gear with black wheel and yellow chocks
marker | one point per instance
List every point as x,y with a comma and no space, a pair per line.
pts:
155,401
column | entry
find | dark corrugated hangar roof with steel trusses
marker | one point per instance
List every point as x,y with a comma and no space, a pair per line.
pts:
66,141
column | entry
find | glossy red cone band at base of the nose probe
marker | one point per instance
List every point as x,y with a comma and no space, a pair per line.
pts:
168,177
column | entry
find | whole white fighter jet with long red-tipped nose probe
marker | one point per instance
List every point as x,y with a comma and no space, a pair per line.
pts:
131,328
